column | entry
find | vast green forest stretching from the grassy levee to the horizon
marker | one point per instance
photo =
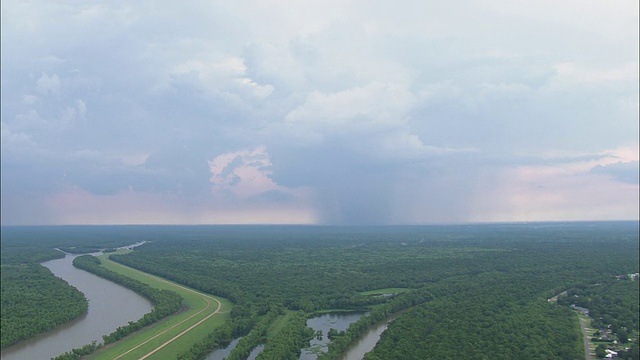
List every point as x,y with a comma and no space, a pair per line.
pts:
477,291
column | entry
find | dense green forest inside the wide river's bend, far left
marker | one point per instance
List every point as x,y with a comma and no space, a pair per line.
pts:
35,301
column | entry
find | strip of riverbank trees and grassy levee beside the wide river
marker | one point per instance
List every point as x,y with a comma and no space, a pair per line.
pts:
146,336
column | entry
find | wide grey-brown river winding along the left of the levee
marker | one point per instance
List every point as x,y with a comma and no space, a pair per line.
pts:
110,306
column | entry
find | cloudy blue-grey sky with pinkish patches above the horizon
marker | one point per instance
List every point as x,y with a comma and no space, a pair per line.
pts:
318,112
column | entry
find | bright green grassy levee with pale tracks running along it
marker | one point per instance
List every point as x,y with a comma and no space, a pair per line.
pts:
203,314
